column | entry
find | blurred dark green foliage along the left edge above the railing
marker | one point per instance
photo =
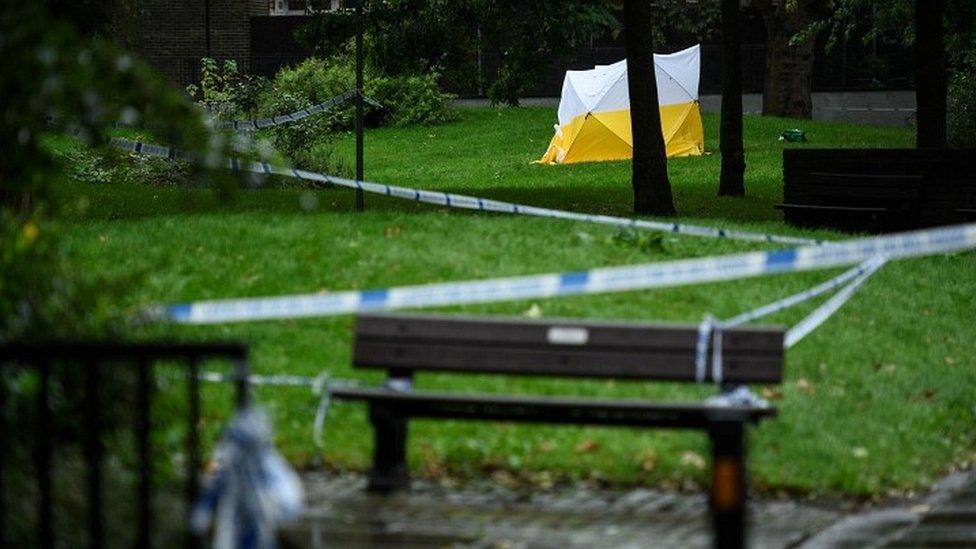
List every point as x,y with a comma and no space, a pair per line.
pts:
54,82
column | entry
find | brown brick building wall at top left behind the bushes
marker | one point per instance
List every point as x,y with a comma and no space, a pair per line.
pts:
171,34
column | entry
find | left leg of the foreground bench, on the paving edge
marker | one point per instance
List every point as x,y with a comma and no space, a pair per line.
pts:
390,471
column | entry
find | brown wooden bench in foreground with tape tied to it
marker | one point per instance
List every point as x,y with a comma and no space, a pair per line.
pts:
407,344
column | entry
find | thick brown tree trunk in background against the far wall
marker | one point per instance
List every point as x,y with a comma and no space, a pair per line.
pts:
789,67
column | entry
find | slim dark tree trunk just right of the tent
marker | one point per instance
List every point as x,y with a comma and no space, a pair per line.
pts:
733,152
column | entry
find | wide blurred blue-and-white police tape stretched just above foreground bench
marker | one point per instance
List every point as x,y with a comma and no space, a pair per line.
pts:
602,280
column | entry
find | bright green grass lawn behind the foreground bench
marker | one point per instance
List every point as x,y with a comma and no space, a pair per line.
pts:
880,398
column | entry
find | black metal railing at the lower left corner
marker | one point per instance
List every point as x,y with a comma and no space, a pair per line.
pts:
97,364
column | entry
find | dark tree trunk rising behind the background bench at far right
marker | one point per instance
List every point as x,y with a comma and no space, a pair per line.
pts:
930,74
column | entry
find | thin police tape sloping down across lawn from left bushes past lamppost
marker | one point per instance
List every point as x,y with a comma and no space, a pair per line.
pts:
471,202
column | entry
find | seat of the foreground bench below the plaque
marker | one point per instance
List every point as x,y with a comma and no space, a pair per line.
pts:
536,409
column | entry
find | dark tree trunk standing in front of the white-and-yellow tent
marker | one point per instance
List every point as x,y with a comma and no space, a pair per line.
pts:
652,188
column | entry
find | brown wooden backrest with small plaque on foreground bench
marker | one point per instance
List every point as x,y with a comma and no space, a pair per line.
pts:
404,344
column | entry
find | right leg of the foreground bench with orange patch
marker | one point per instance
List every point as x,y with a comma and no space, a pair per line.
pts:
727,500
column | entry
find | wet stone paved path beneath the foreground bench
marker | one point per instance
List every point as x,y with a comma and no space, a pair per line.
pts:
487,515
